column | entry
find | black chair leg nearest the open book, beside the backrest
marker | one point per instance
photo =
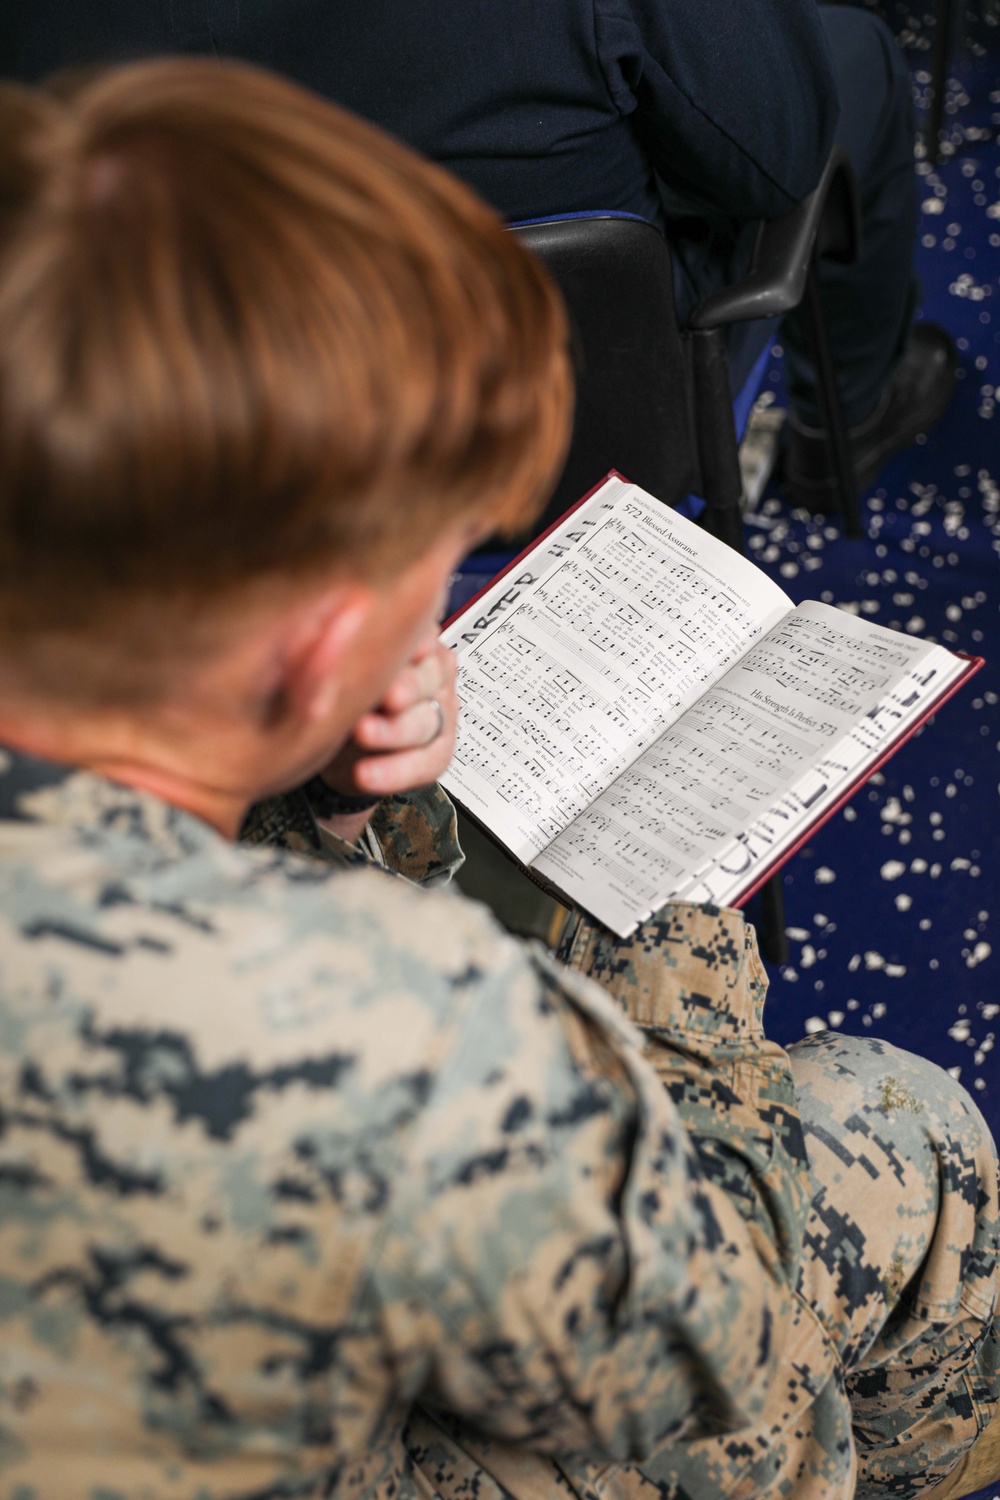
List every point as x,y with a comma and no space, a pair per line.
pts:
716,436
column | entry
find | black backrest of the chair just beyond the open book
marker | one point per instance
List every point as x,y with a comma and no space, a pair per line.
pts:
633,406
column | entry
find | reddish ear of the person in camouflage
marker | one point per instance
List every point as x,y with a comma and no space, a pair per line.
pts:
316,656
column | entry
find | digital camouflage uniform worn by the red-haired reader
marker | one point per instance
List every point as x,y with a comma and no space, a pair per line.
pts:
314,1183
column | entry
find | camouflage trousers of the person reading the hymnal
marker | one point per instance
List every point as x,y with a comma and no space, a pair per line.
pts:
899,1265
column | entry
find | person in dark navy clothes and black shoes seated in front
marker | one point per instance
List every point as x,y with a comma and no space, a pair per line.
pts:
701,116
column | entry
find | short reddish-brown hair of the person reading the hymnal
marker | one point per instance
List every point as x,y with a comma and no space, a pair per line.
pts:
244,337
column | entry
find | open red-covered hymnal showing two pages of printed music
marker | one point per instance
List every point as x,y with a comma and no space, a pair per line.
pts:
645,716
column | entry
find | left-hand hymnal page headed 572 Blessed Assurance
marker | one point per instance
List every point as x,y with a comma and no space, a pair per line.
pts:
579,659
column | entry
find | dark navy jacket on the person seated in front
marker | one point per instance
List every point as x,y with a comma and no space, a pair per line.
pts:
543,106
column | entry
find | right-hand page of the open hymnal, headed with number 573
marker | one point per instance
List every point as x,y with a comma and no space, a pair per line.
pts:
764,734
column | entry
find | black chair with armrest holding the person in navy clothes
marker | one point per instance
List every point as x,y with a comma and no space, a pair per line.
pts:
654,401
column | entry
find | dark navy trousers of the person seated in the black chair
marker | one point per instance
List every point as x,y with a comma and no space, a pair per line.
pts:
870,305
